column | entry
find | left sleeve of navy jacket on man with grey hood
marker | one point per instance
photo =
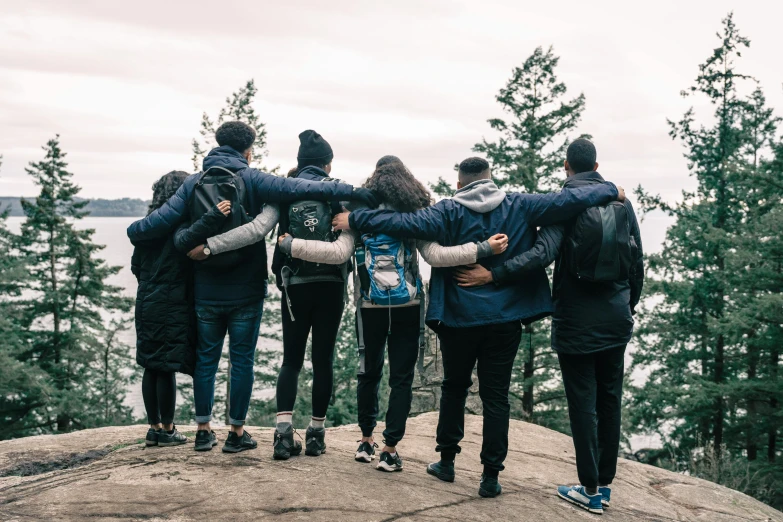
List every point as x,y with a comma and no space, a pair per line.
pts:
428,223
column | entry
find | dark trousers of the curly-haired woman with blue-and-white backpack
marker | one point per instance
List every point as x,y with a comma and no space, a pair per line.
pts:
403,338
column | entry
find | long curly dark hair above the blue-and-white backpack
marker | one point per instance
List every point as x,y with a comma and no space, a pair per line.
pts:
395,185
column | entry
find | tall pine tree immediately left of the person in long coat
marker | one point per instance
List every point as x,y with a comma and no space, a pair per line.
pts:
67,301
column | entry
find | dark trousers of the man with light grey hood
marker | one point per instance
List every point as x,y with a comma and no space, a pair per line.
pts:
493,348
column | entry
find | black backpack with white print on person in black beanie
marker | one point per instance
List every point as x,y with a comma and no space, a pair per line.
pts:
312,220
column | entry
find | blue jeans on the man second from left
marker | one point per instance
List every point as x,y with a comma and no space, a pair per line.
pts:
242,324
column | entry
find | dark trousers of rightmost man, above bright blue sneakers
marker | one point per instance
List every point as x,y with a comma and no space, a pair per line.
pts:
594,389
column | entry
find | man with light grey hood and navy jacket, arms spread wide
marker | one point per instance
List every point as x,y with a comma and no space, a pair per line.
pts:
482,324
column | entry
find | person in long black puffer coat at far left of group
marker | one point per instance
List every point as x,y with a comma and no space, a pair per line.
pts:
165,316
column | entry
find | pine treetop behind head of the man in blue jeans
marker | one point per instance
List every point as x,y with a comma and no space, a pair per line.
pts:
239,106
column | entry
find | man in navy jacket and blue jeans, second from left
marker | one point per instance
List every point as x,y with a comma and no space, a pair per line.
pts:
231,300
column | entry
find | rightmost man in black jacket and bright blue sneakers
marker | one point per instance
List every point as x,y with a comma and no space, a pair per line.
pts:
591,326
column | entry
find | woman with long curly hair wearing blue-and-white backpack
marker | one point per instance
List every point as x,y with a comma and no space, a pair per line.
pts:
378,324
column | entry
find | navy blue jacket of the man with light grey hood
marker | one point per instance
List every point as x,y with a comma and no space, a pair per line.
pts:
451,223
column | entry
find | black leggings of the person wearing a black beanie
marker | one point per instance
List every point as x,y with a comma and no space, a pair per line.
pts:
317,306
